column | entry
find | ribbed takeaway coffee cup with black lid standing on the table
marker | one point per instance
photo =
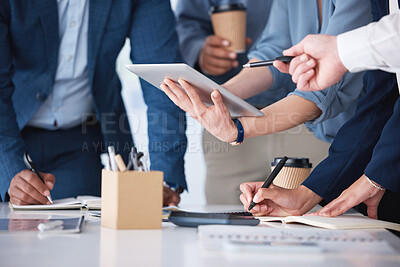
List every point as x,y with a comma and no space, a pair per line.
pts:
294,172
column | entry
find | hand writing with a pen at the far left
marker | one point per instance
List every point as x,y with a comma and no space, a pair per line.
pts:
26,188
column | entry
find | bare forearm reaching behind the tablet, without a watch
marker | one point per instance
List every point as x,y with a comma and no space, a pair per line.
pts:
250,82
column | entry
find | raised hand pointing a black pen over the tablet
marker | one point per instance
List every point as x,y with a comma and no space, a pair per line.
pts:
324,70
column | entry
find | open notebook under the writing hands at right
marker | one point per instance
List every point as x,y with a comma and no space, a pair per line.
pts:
343,222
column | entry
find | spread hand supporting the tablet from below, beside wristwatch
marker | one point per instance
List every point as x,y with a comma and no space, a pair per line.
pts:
216,119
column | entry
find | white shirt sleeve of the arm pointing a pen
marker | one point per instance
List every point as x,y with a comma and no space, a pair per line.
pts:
375,46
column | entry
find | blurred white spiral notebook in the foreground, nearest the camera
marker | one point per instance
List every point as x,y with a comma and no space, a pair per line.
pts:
298,240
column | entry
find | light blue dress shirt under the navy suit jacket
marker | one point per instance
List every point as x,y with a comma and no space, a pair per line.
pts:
70,101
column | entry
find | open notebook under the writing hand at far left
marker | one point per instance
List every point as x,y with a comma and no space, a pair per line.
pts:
88,202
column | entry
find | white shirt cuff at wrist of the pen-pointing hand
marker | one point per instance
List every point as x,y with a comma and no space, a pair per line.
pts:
354,49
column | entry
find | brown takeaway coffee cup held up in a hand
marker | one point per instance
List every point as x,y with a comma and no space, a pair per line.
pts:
229,22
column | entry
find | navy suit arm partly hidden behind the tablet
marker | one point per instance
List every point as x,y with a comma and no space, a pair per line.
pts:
153,40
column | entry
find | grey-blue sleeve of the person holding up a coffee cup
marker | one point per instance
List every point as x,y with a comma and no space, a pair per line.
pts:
193,27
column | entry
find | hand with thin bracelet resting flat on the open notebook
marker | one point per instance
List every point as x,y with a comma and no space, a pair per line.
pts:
361,191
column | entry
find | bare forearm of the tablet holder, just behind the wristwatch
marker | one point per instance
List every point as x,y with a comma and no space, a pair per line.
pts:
280,116
